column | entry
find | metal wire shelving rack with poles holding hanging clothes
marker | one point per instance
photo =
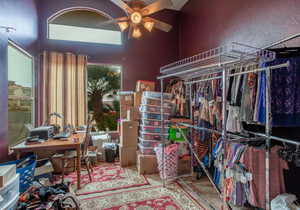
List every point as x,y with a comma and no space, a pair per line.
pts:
216,64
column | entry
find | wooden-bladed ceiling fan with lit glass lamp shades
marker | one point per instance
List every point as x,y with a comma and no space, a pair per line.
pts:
138,16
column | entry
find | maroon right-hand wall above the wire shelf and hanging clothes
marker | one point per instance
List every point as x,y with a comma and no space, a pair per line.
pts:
206,24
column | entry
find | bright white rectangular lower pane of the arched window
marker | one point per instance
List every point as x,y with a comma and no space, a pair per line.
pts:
82,34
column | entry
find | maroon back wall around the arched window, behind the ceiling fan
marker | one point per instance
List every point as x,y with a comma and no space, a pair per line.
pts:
140,59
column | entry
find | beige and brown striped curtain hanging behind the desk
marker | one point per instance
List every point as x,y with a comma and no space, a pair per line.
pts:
62,88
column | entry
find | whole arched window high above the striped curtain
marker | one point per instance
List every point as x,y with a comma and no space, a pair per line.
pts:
83,25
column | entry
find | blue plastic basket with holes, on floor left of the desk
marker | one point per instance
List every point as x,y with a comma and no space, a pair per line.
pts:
26,173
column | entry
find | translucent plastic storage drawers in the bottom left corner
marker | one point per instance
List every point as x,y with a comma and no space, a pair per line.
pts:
9,191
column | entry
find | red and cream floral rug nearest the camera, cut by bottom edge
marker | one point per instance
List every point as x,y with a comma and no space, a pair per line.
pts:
172,197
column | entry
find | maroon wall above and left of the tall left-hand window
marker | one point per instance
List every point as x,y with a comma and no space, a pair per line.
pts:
22,15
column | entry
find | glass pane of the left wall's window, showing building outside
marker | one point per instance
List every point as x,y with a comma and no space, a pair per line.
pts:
20,101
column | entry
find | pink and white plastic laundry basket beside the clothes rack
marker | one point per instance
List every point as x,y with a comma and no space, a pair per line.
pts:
167,166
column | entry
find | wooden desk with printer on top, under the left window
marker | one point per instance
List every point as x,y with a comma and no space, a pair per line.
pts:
52,144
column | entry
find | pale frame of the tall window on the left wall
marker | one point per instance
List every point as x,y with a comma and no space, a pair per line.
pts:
33,93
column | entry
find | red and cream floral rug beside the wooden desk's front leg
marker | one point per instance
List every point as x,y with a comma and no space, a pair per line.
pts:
107,177
